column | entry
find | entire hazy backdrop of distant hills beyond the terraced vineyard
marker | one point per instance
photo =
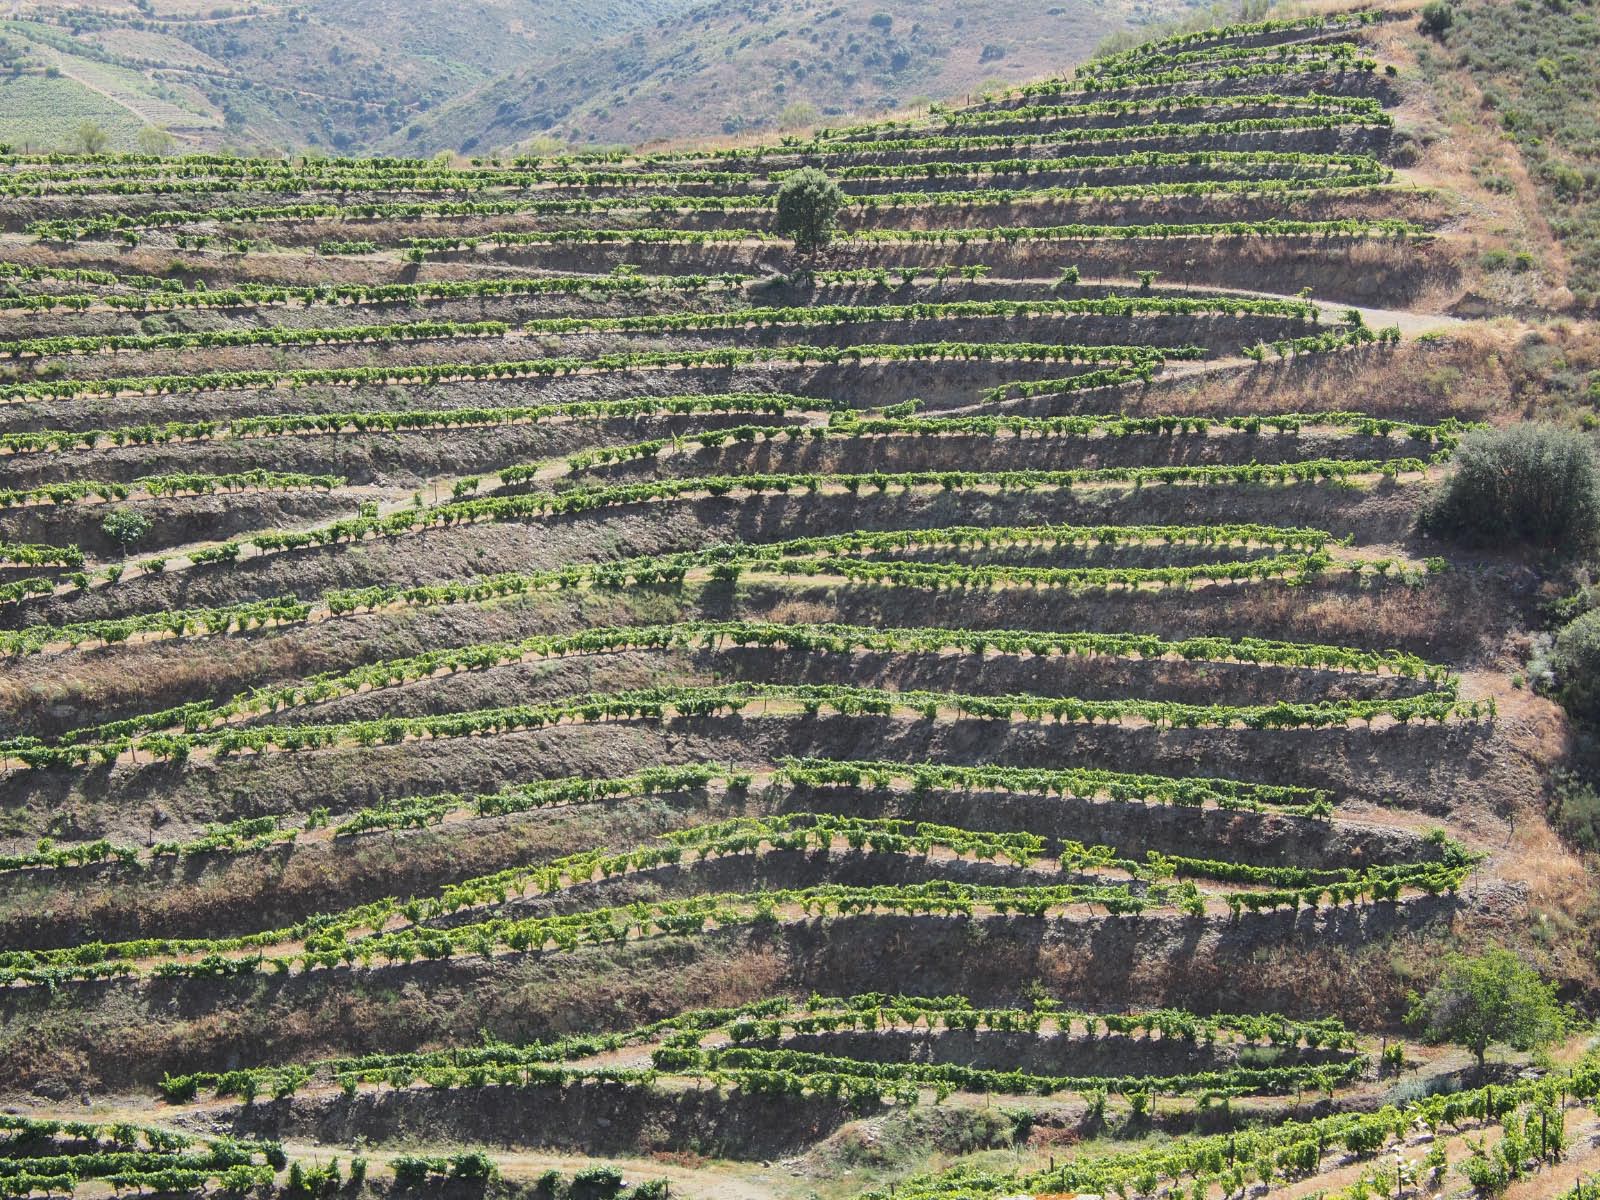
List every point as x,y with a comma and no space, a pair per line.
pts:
406,78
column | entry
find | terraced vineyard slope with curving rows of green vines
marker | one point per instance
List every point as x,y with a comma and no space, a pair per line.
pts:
513,668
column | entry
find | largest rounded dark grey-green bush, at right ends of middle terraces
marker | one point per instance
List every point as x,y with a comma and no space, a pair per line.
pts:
1526,484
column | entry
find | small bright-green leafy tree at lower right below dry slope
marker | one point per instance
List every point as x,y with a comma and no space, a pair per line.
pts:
1490,999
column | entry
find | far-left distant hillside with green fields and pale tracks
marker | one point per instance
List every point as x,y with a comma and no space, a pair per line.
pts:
322,74
